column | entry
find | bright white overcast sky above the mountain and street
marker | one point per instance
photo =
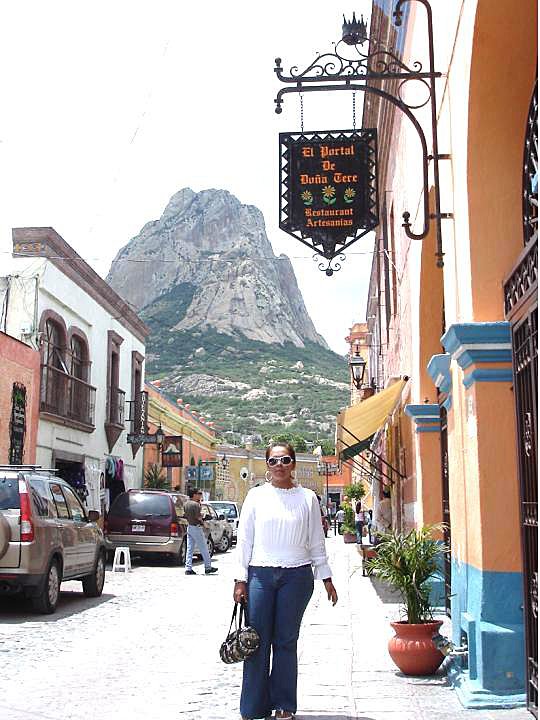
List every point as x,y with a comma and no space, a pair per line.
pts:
109,108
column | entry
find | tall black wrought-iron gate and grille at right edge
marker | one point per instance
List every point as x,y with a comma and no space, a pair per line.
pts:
521,307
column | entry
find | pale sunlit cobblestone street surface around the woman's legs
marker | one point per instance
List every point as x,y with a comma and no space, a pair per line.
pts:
148,649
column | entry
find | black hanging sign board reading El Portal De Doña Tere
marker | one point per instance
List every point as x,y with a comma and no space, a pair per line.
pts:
328,188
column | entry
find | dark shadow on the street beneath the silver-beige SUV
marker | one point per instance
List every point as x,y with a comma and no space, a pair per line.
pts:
18,610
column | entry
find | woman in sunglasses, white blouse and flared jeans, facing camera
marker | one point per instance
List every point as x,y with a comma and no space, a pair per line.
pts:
280,538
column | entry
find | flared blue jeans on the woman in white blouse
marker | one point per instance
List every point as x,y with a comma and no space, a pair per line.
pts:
277,599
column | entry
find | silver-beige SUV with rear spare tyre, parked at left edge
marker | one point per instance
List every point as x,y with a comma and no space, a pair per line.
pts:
46,536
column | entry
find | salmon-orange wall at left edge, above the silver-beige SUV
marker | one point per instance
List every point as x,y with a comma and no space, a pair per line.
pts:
18,363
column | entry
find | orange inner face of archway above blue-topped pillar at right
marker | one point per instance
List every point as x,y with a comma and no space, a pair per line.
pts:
500,92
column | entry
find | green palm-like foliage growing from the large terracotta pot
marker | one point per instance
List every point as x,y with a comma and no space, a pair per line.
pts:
406,561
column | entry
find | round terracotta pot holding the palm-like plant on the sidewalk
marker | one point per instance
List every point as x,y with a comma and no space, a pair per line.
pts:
412,648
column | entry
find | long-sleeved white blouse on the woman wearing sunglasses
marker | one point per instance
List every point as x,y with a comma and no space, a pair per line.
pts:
281,528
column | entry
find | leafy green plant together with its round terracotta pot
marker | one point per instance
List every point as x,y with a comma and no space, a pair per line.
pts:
406,561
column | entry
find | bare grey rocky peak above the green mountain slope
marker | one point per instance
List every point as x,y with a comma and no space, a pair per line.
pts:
216,250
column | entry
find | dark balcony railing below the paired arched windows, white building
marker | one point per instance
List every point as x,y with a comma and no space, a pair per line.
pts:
67,396
